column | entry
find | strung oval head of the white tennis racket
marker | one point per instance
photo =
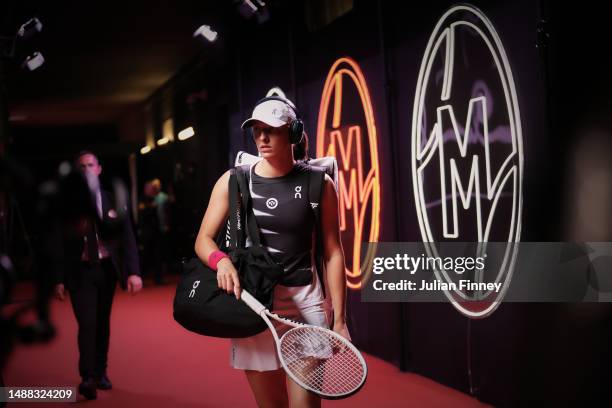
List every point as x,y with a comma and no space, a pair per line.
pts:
322,361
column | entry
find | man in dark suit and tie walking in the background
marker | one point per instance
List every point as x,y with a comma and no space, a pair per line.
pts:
99,250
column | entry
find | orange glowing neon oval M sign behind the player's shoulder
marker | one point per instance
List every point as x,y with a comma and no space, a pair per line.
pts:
347,131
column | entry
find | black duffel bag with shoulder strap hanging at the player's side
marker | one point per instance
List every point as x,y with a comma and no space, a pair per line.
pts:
200,305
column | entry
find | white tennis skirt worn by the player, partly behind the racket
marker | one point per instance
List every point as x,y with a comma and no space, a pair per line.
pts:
302,303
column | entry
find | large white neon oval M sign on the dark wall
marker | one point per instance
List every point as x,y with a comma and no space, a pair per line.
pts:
467,154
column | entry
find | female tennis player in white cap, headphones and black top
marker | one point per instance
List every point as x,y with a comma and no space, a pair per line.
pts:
279,192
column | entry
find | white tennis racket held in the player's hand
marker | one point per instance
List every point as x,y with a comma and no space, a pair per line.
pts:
317,359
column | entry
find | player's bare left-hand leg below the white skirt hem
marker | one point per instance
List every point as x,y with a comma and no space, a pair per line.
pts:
268,388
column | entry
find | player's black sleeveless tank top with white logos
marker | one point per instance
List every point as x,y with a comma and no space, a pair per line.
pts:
286,221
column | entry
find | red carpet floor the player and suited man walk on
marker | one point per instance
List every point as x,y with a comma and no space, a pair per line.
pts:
153,362
